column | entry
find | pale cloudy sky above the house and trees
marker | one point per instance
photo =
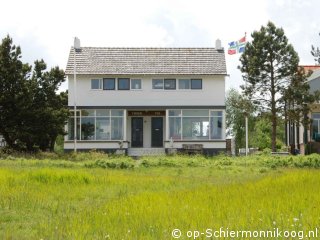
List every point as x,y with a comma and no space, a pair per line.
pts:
46,29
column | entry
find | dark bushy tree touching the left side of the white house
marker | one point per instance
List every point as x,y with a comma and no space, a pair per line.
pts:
47,111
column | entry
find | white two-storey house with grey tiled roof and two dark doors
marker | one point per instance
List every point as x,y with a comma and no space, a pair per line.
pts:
147,98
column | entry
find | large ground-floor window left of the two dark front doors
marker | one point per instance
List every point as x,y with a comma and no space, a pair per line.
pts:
97,124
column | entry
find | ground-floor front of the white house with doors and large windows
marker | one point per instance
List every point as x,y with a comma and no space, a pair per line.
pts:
147,131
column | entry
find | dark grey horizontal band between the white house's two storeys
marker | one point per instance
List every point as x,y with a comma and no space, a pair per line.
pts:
149,107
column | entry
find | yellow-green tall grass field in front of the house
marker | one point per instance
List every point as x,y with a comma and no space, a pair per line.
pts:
95,196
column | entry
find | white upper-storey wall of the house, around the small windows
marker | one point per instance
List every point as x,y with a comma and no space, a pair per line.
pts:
212,93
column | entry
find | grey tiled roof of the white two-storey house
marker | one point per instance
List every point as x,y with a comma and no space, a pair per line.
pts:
159,61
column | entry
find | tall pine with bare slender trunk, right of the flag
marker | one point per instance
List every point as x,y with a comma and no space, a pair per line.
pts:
267,63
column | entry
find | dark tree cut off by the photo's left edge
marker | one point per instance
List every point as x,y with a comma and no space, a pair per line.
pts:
13,88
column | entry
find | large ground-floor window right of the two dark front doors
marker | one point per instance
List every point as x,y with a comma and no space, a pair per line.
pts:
195,124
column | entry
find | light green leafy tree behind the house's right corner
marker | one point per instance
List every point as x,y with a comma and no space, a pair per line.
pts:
236,108
